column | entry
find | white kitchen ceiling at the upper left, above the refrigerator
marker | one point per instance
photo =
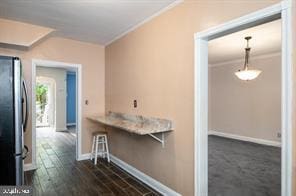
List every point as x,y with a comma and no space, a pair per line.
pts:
96,21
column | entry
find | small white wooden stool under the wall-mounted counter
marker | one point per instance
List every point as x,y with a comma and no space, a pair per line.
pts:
99,146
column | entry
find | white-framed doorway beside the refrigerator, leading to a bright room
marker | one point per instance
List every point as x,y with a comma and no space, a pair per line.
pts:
50,132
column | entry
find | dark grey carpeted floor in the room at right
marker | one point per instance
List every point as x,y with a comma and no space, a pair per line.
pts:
238,168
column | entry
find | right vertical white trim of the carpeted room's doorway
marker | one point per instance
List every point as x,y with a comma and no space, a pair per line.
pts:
286,107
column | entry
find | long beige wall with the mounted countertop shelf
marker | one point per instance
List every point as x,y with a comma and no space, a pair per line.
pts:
154,64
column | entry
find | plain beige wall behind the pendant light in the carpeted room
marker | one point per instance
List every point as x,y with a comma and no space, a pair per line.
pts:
246,108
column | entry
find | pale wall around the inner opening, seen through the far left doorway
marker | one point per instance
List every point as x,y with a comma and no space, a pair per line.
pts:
59,75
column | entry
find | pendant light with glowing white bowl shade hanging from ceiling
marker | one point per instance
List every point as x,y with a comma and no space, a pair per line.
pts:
247,73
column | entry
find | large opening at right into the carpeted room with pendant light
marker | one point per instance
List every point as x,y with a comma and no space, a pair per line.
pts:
244,145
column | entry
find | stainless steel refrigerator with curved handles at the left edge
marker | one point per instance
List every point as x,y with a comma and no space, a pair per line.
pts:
13,121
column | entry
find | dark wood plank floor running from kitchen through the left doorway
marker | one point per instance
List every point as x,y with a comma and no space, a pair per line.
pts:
59,173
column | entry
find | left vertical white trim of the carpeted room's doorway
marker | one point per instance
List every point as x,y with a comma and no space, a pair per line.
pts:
201,119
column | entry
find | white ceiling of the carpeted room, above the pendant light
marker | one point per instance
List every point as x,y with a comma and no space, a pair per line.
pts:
266,39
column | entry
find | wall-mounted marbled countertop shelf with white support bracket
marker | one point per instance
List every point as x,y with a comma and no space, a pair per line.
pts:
136,124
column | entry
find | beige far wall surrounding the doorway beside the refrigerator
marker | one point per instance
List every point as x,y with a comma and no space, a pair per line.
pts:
91,57
